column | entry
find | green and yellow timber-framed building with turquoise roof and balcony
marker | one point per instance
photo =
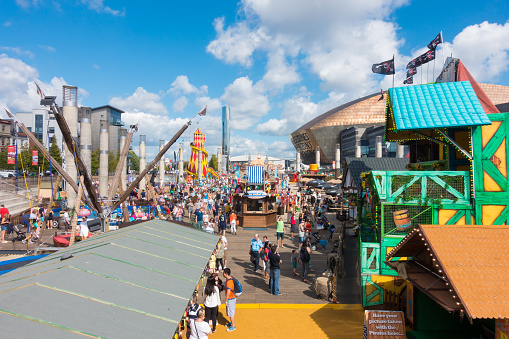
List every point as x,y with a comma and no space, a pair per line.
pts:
457,175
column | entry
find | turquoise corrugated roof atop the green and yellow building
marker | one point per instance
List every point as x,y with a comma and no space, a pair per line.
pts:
450,104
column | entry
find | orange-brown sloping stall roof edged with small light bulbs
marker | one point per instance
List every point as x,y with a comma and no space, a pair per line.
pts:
462,267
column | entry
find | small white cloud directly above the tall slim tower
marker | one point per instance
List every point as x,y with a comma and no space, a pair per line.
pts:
247,102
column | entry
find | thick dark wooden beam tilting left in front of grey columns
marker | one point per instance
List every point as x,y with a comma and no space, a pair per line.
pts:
82,168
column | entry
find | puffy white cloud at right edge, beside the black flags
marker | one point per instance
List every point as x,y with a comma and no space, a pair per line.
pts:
483,48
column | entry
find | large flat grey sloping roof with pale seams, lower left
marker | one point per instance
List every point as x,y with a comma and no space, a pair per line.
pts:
135,282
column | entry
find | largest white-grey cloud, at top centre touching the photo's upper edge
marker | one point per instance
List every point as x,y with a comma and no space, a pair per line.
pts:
338,39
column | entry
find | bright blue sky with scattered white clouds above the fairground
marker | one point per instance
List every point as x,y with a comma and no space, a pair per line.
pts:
276,63
